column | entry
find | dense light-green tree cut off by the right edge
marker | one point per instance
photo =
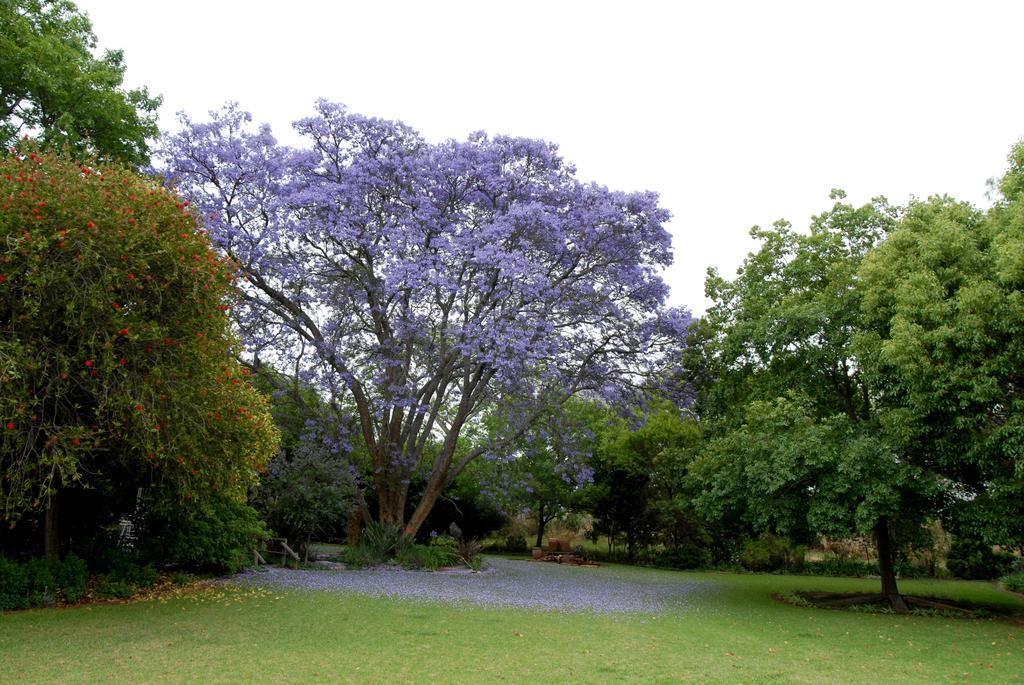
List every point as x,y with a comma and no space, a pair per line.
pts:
945,303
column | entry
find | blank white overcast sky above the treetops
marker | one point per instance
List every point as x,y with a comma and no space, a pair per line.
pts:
738,114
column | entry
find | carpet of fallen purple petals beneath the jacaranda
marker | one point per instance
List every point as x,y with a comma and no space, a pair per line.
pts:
506,583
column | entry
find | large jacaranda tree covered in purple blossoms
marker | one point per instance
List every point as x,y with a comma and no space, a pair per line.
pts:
429,283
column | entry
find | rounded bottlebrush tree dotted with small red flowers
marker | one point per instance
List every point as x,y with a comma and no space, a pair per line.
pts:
117,356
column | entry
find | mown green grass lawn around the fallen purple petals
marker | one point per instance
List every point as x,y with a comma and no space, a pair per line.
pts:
736,635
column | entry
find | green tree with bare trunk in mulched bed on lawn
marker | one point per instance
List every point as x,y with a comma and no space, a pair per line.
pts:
796,445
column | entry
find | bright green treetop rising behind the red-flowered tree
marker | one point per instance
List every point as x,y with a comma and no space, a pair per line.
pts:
54,89
